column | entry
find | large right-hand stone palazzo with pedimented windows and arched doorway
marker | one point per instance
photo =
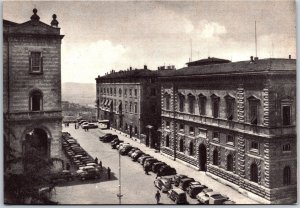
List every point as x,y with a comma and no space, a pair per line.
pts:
237,122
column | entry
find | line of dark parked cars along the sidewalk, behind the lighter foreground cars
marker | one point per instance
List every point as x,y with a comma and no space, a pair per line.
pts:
148,162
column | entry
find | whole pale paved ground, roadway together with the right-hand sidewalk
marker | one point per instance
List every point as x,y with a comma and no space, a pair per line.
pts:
137,187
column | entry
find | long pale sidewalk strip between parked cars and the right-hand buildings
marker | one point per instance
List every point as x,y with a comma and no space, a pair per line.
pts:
183,169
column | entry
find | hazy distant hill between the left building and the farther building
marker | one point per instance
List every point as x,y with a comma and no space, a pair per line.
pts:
81,93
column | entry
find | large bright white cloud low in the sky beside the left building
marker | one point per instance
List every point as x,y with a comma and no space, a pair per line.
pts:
83,62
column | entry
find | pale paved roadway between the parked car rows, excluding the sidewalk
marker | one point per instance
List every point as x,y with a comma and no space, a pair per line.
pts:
137,187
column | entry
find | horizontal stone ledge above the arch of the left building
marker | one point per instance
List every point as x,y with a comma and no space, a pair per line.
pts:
31,115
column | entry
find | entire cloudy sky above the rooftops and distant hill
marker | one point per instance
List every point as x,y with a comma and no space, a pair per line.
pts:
100,36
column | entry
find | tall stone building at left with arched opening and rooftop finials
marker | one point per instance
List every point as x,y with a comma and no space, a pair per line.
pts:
32,90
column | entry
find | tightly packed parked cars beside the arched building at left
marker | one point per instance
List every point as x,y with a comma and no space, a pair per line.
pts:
85,164
